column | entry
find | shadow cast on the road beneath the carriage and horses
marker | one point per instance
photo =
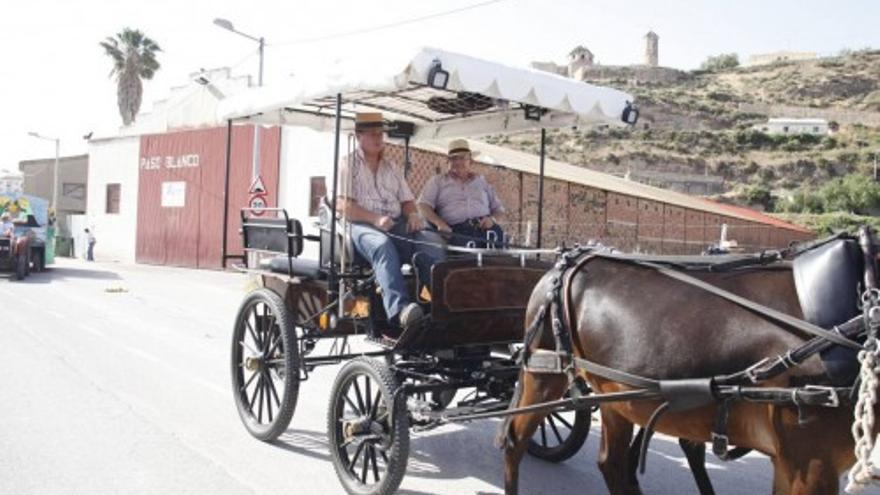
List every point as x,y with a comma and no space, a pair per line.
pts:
458,452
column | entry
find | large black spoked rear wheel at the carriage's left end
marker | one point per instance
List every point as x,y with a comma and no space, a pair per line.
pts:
265,365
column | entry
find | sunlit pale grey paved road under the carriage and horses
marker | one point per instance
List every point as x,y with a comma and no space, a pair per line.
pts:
115,380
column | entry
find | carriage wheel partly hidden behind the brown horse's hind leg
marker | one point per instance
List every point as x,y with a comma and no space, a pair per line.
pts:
560,435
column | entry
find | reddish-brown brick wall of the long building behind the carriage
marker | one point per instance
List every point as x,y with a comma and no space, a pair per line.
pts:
577,213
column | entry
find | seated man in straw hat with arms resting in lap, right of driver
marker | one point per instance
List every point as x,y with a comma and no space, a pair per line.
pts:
462,202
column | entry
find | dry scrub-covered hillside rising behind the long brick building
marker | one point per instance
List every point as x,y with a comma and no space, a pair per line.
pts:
696,135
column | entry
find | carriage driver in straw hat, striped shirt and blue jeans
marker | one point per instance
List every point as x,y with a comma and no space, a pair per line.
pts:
375,197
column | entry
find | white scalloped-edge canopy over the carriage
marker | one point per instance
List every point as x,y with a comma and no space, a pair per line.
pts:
443,94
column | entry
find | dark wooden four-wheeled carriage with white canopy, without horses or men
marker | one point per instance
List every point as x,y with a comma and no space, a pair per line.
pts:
409,378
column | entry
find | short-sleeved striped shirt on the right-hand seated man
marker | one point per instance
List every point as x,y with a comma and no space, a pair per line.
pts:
458,200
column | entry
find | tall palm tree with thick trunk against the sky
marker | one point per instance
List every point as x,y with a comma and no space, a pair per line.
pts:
134,58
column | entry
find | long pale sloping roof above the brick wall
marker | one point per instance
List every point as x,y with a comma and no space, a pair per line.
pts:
526,162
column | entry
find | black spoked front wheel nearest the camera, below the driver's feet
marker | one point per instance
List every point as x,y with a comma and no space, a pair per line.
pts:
369,437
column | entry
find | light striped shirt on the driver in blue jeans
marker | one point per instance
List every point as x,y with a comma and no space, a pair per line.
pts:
381,192
